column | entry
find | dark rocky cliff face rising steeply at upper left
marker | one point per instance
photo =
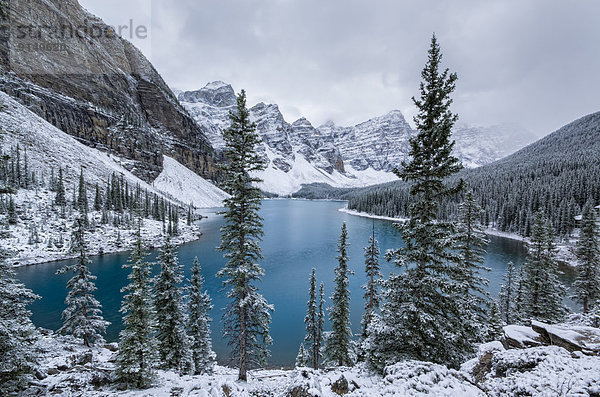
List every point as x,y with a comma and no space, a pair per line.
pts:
100,89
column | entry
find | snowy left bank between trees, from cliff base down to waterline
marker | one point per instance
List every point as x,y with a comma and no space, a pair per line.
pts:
42,232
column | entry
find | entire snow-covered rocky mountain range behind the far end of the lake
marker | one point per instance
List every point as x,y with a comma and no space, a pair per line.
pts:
356,156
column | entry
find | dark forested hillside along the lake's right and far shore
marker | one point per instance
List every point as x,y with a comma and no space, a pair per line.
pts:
558,174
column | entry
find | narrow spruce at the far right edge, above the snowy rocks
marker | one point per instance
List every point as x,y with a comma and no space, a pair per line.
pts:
587,283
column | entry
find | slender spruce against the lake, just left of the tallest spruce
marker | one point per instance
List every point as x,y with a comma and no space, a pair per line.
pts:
374,276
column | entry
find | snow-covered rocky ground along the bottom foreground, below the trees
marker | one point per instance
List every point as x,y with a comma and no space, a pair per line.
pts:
67,368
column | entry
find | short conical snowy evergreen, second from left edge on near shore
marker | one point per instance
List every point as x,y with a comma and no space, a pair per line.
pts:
83,316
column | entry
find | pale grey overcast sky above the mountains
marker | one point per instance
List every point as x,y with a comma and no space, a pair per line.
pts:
536,63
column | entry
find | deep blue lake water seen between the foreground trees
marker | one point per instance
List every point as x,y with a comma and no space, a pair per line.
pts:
299,235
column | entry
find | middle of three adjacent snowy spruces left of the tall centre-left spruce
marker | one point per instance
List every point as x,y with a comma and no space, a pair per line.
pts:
173,342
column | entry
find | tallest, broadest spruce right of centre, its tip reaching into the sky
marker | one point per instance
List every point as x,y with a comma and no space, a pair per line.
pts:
421,317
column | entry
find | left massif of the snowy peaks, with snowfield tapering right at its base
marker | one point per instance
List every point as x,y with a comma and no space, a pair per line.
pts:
296,153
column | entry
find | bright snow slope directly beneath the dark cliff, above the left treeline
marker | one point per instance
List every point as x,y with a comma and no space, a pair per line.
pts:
48,147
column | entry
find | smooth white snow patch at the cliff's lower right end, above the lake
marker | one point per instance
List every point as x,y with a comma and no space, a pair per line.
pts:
186,186
